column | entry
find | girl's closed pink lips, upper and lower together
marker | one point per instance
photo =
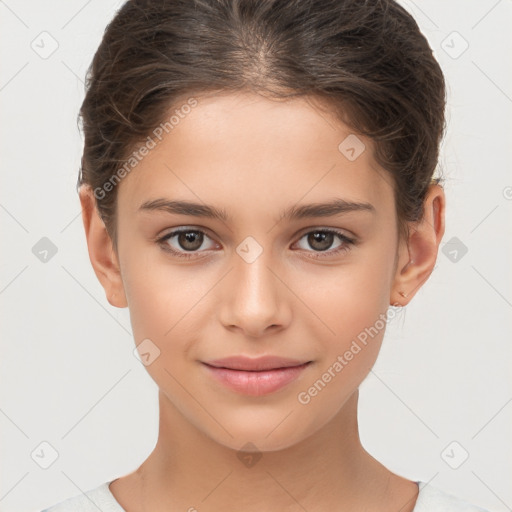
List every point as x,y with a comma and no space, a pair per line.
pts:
256,377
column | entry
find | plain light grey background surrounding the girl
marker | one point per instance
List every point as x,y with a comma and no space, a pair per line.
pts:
69,376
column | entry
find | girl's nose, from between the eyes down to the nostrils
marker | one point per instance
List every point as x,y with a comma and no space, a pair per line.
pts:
255,298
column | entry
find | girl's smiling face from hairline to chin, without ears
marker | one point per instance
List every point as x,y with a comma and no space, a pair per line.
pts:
258,268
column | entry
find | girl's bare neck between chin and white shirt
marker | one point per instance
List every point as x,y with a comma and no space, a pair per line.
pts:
330,470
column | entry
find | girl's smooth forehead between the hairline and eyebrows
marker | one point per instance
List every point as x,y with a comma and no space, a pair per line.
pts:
258,149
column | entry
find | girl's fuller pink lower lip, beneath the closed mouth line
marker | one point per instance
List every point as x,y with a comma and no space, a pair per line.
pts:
256,383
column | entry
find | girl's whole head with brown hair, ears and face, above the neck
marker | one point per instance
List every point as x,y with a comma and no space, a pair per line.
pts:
253,110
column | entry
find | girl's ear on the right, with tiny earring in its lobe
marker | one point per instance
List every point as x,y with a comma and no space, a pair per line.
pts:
417,255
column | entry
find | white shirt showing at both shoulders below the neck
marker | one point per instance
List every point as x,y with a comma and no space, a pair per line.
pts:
430,499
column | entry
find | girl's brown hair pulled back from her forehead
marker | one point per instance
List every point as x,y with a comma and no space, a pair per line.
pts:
367,58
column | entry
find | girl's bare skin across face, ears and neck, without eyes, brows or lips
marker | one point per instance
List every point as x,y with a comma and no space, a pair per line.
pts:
253,157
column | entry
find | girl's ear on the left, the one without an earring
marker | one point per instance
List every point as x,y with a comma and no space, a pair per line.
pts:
101,251
